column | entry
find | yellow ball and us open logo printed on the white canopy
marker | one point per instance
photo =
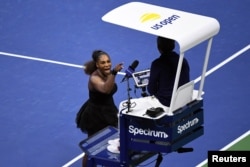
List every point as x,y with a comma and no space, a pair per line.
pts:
154,16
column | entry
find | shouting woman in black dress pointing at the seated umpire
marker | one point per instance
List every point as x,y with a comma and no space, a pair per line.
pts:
99,111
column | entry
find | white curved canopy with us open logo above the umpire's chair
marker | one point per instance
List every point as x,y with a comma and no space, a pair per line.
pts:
187,29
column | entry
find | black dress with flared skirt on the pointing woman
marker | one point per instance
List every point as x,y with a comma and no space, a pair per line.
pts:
98,112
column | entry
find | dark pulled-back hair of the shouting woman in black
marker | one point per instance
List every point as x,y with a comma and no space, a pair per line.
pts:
90,66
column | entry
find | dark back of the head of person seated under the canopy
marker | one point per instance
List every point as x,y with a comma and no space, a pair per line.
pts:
165,45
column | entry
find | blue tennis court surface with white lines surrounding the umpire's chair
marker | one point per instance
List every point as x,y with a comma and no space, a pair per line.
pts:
43,45
